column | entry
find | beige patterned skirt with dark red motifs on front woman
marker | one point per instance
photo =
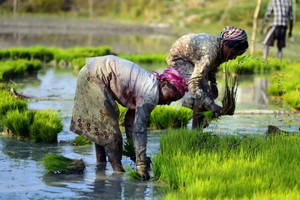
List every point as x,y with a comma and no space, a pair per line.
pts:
95,114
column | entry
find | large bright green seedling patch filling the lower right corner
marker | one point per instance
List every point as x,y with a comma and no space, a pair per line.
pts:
199,165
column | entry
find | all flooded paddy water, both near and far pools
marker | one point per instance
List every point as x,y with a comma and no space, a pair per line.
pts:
22,174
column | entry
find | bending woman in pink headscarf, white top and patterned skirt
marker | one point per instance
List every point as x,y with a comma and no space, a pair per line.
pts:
105,81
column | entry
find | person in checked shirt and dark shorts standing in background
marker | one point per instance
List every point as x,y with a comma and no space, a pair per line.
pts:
283,13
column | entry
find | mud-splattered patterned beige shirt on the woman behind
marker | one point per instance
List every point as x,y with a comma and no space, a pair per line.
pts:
198,57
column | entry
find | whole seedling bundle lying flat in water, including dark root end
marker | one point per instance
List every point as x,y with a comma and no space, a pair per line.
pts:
54,163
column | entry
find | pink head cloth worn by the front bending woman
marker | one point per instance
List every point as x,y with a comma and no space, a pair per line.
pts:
175,77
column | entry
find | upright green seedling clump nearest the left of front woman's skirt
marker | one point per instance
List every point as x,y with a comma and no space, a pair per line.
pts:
46,126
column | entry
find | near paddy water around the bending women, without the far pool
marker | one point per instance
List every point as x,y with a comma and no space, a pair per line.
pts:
22,173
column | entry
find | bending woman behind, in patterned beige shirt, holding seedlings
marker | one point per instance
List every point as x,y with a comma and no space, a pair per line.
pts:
198,57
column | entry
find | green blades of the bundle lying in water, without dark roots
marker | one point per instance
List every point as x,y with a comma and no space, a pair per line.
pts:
57,163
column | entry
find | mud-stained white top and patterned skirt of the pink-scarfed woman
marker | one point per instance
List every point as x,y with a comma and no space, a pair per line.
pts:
100,84
